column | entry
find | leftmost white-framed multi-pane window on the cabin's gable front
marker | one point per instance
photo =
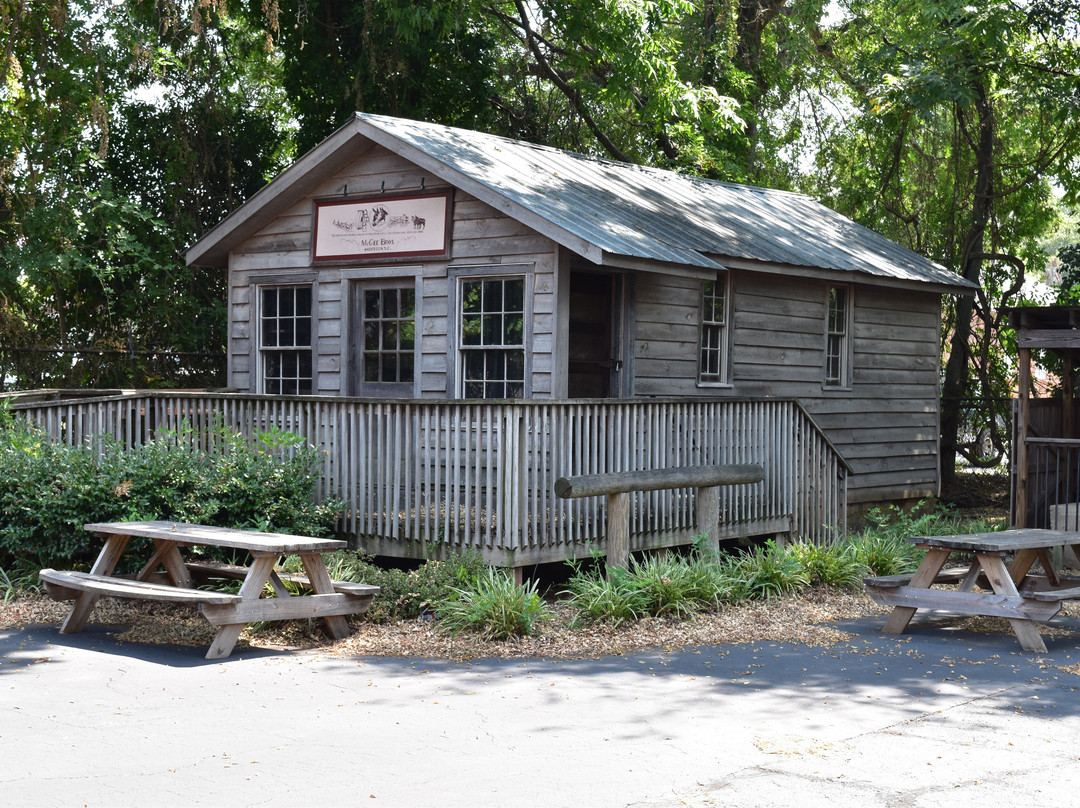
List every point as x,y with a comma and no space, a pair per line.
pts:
286,340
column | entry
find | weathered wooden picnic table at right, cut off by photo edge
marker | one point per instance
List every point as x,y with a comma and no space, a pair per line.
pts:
1016,592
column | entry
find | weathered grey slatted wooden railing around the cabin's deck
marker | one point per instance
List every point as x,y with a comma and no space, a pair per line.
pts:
425,476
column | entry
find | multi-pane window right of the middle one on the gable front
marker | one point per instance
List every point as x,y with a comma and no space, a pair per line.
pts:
493,339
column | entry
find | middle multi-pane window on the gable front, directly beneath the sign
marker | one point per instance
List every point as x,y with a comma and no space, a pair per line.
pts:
389,338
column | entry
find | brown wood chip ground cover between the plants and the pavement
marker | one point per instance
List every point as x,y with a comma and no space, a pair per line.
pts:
805,620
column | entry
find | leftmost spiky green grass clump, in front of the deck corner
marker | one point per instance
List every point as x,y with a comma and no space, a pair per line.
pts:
494,605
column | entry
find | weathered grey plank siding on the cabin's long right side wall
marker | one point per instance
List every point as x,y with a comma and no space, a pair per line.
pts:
885,425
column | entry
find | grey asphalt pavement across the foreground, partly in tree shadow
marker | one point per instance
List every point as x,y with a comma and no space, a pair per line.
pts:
937,717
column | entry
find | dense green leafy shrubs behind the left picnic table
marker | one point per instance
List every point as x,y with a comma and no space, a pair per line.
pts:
50,491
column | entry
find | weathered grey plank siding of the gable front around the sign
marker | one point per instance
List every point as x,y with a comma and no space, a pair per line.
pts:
481,239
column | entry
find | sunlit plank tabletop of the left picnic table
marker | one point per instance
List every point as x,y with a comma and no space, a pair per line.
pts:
251,541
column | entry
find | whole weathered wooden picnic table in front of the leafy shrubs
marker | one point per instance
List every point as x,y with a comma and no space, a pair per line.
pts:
330,600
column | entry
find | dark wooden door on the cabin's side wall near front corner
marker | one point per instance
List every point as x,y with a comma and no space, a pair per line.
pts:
595,356
